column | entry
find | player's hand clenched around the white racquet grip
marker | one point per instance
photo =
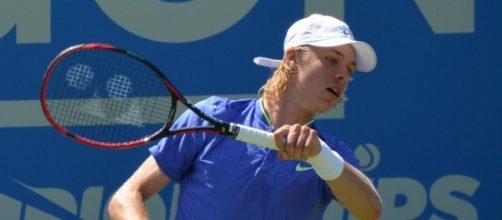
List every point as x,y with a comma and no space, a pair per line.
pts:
296,142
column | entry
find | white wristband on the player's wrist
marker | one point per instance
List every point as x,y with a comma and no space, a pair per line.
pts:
328,164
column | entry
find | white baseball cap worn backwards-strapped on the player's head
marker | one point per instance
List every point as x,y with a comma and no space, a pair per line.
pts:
324,31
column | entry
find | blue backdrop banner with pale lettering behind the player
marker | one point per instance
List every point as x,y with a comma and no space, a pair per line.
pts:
426,124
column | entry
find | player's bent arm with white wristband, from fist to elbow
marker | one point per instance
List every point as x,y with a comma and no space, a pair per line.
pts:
350,186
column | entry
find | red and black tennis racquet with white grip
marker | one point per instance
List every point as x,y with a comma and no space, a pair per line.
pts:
108,97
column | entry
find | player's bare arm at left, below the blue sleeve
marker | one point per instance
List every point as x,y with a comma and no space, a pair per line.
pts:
129,200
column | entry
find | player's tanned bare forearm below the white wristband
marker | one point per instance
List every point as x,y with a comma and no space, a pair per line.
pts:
356,193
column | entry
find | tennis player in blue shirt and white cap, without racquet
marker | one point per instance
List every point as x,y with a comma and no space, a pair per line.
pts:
221,178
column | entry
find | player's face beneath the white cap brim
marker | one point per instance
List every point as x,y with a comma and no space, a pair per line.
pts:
323,75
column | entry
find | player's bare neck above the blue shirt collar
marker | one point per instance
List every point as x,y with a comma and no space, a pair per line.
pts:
282,112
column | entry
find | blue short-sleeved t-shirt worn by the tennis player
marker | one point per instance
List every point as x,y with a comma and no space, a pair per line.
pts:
221,178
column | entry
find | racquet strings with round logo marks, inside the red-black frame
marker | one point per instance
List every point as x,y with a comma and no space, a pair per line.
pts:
107,96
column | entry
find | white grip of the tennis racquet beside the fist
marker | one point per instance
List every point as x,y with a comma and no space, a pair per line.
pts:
254,136
